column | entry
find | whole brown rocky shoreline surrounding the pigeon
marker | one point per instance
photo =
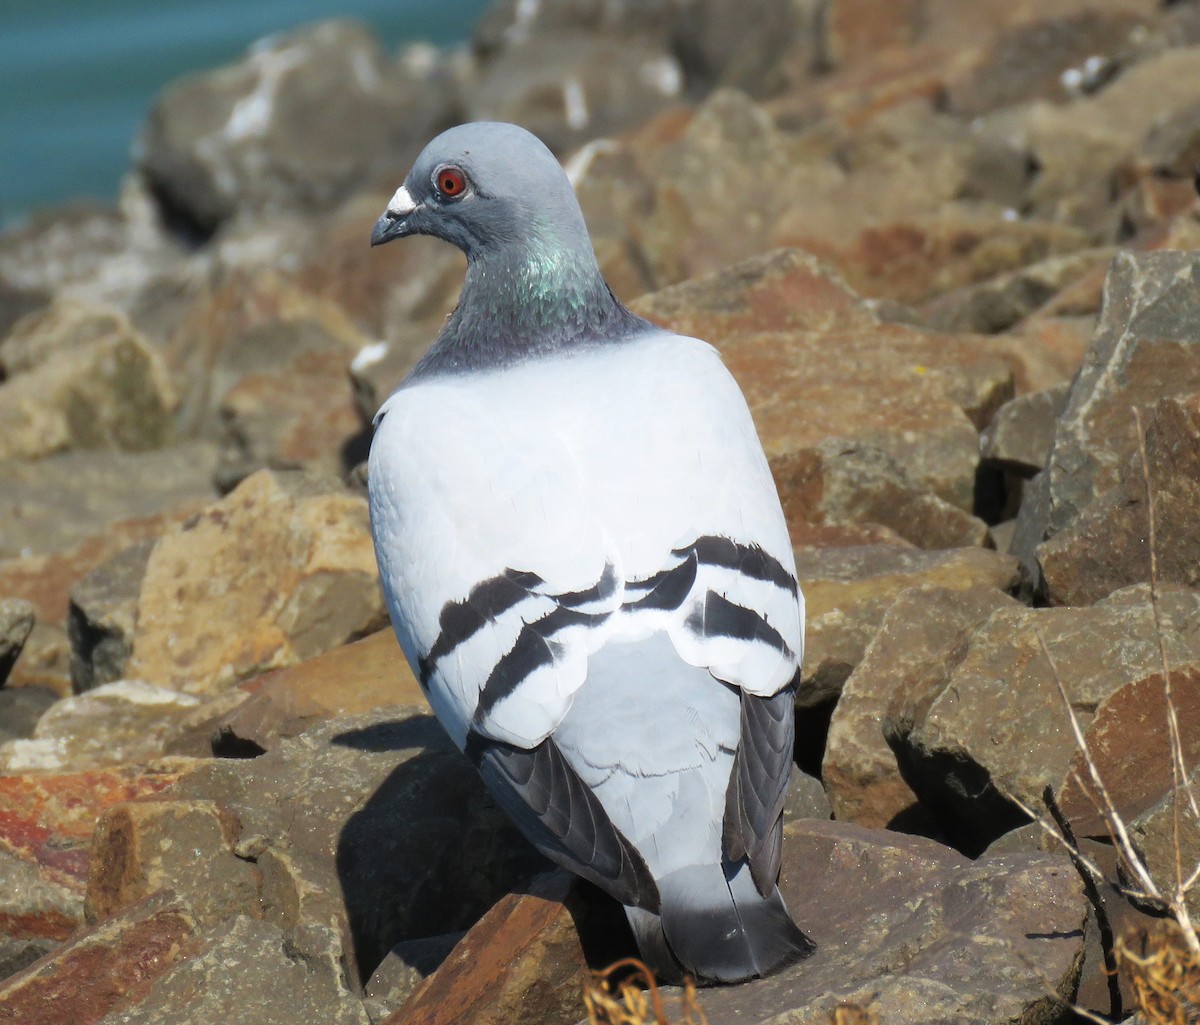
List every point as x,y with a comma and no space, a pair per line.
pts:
950,253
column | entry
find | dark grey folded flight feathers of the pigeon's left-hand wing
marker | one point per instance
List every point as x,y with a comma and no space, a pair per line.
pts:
561,817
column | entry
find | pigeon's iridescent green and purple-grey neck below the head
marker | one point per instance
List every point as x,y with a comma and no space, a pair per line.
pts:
527,301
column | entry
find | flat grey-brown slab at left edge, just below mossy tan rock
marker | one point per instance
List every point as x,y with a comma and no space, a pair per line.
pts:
63,501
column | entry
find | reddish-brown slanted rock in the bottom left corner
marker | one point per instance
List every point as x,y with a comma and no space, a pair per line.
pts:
106,969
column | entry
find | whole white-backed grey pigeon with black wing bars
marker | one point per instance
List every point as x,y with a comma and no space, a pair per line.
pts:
587,566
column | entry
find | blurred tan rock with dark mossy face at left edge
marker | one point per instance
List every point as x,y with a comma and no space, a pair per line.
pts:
111,394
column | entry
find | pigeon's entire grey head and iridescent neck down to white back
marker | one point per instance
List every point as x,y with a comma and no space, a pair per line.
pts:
533,286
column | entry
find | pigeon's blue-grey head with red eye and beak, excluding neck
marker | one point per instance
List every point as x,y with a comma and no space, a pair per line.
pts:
485,187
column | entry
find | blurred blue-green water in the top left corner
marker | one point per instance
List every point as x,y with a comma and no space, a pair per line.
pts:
77,77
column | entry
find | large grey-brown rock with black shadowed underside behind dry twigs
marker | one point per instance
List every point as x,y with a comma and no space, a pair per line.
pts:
999,728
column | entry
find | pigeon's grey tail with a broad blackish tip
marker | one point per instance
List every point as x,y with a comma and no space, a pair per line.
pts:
717,927
